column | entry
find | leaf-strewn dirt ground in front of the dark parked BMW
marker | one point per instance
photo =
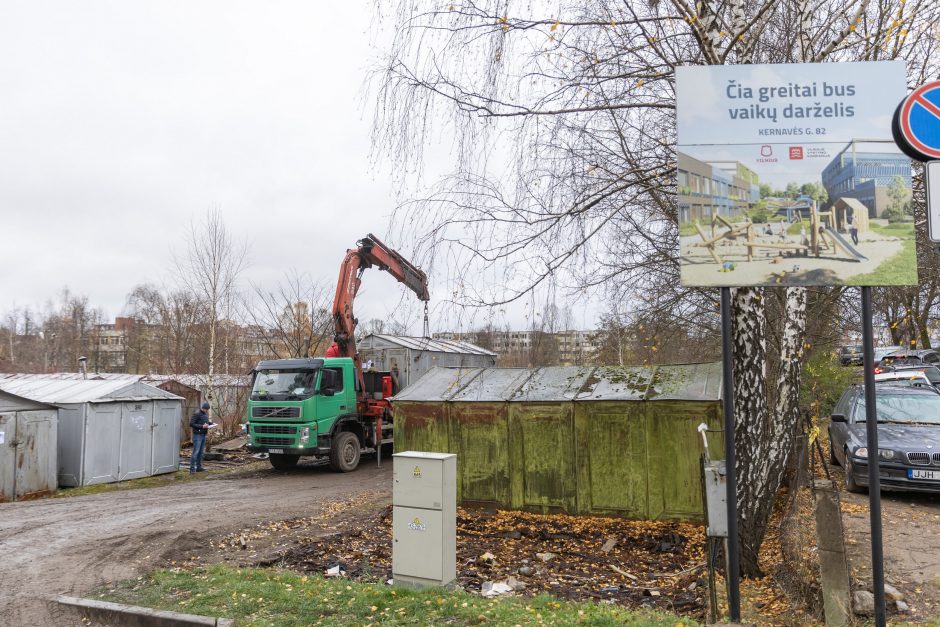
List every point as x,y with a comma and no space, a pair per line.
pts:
911,531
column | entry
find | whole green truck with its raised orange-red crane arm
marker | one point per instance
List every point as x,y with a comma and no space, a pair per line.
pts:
329,407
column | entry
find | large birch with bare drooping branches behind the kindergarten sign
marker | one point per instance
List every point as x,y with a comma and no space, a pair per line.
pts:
563,117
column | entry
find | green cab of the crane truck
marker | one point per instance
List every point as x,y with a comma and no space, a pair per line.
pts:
306,407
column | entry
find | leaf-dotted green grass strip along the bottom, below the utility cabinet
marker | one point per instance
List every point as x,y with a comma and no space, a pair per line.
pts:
254,596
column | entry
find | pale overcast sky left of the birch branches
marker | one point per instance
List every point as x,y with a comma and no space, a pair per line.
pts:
124,121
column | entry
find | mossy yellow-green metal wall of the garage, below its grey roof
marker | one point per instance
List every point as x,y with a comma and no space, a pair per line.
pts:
636,459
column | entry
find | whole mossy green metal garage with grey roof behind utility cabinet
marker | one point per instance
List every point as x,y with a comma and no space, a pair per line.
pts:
584,440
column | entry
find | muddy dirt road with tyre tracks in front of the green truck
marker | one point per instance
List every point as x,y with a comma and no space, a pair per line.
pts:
71,545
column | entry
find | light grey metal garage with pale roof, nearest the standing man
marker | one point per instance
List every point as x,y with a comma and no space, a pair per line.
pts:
109,430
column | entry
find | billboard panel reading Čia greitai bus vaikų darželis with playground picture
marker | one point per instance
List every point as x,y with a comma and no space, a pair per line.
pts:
788,175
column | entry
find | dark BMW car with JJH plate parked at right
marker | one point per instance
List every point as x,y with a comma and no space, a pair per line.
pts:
908,438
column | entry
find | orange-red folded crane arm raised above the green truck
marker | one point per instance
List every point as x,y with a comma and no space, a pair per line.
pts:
370,252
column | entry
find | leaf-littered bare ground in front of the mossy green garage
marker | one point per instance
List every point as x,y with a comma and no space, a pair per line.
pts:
646,563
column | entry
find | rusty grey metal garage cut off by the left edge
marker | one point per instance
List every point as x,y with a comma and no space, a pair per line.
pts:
27,448
